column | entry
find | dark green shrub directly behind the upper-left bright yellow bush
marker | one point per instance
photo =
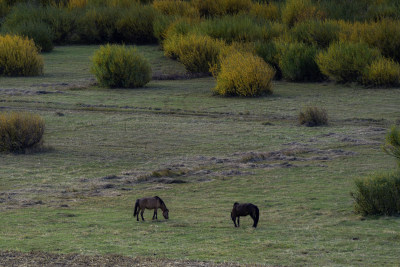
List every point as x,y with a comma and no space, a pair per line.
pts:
39,32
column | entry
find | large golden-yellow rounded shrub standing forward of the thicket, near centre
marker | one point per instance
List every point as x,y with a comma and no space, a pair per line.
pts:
243,74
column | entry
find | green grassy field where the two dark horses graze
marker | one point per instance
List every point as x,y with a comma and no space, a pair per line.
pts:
103,147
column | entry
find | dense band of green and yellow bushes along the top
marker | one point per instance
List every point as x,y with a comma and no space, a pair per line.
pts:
300,39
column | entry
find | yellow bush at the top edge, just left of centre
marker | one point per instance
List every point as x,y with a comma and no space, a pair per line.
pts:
176,7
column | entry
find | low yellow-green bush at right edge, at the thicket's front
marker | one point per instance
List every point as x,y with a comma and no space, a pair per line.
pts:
382,72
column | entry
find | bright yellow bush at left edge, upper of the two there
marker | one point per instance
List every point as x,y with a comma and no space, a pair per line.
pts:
19,57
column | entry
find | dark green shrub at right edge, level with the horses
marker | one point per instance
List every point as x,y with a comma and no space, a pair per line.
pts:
378,194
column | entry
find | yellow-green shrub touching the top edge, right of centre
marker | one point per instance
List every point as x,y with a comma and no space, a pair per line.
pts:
296,11
